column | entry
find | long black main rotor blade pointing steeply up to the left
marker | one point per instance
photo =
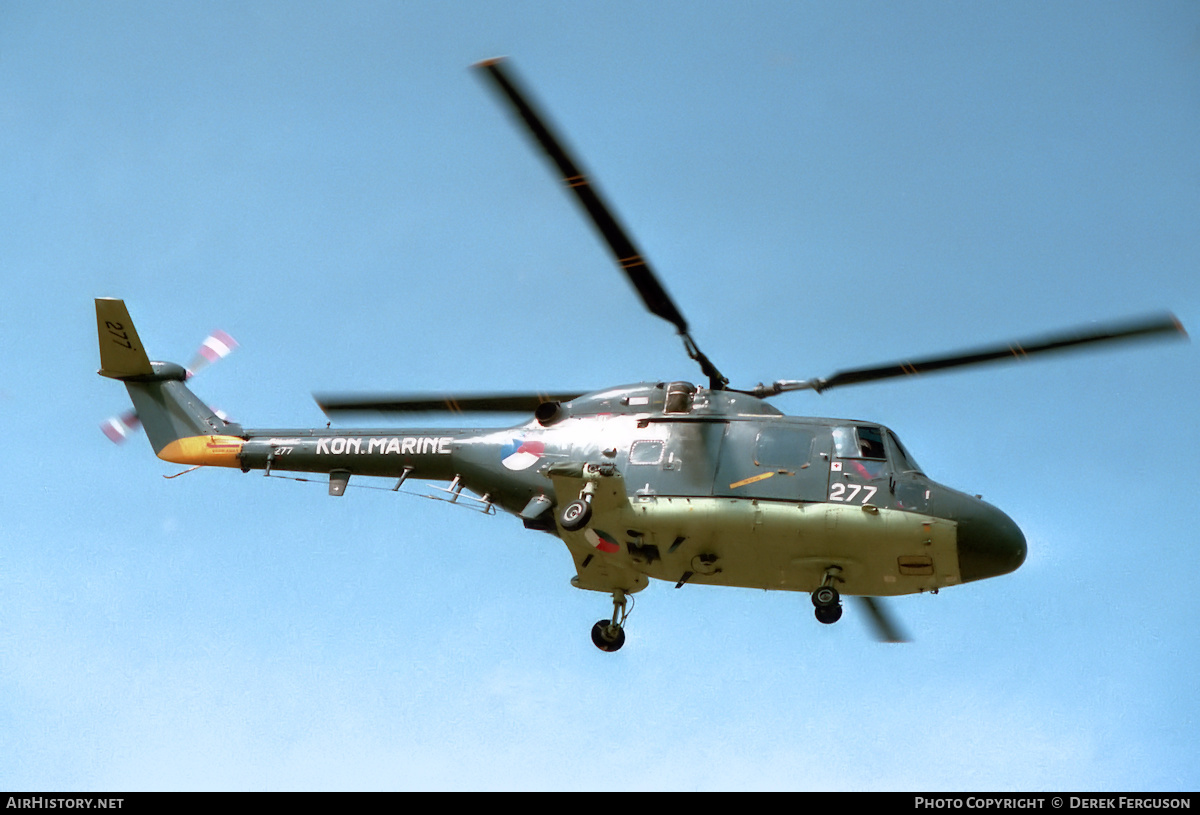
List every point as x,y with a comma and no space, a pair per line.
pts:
628,256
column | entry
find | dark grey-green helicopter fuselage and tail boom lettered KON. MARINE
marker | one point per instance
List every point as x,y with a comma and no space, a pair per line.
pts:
705,475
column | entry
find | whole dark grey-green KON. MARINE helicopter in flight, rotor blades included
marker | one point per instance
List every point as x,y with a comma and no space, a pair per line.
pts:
692,486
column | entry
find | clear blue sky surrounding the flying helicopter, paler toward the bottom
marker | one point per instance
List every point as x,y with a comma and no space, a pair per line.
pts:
819,187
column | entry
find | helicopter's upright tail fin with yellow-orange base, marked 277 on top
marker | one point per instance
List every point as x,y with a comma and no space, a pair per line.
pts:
179,426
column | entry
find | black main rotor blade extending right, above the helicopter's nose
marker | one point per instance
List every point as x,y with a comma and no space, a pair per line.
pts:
1157,327
